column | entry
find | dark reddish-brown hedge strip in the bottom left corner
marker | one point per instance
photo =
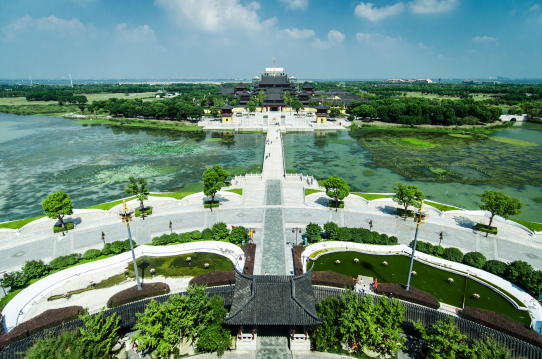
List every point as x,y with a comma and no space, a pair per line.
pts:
48,319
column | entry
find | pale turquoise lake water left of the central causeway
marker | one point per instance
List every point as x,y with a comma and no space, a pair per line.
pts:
41,154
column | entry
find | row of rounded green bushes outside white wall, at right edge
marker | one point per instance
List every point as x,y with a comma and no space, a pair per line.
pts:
518,272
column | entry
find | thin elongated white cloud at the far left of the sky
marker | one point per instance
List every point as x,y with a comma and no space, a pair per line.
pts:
51,24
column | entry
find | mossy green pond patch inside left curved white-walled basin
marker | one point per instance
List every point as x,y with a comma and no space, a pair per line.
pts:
178,266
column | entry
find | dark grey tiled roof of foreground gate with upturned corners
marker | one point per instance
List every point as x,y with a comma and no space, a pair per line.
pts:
273,300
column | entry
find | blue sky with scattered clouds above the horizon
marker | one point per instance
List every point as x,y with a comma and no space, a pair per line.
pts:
238,38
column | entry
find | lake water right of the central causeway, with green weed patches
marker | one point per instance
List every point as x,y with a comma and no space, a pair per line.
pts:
448,169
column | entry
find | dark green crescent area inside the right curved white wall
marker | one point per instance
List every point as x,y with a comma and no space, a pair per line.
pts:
428,279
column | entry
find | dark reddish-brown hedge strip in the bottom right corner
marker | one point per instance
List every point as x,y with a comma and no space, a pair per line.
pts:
503,324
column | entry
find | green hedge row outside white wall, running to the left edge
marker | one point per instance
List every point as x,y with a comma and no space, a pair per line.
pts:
36,269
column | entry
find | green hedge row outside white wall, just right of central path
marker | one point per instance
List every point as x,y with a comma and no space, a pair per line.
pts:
333,232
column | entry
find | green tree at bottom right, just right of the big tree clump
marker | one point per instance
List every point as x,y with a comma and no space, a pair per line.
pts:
444,339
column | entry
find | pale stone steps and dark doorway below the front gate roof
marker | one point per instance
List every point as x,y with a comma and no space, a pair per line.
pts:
273,343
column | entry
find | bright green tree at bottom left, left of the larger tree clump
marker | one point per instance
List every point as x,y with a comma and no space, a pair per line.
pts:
100,330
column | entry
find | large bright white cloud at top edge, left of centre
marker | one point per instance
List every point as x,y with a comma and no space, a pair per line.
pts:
215,15
